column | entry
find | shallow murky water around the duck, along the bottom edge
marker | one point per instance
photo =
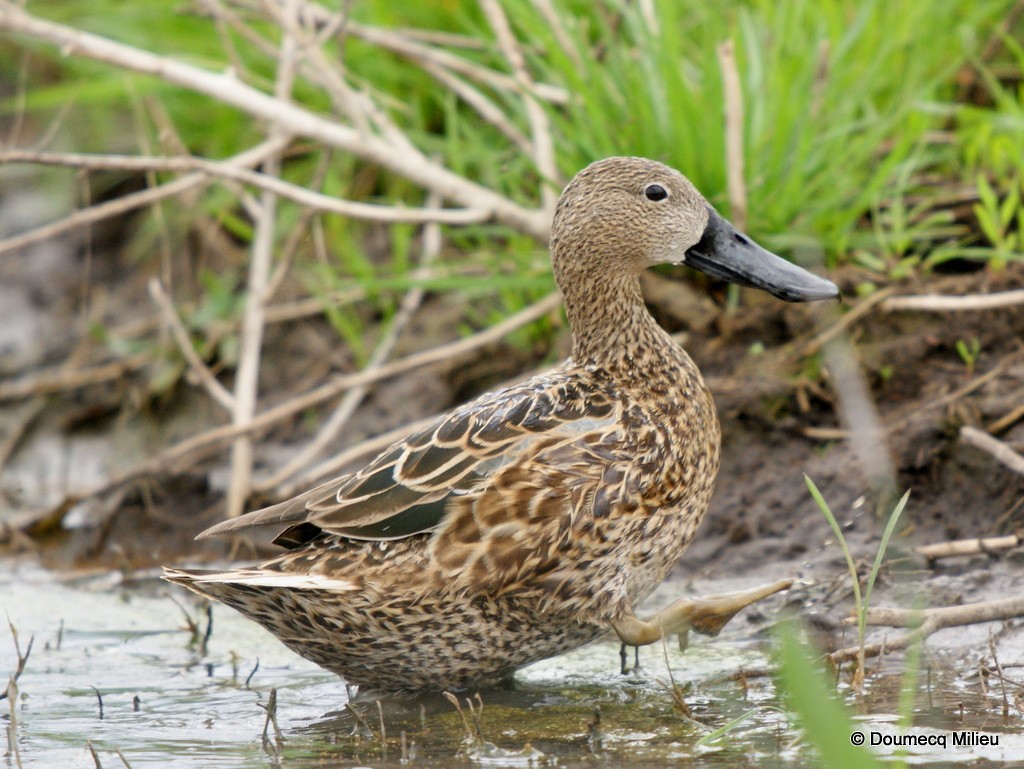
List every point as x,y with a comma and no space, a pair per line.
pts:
165,704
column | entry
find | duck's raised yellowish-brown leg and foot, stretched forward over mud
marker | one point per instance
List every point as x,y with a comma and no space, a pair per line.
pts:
706,616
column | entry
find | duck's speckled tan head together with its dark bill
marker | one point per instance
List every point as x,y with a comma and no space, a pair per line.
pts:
626,215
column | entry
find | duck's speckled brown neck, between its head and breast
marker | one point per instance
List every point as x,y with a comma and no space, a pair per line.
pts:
612,328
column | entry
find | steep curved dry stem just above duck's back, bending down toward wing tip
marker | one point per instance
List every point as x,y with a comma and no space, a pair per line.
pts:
349,405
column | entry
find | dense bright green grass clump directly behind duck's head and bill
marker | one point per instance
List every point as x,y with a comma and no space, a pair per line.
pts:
835,98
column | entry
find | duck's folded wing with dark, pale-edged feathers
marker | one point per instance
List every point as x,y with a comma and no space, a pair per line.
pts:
407,489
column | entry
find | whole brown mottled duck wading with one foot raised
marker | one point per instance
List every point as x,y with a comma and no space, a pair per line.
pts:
536,519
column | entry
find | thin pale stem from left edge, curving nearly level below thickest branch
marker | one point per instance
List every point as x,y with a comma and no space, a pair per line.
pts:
229,172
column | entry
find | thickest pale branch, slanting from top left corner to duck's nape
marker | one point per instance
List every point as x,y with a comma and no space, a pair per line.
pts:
289,117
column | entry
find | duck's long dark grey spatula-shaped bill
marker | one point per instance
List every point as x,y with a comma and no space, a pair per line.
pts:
727,253
